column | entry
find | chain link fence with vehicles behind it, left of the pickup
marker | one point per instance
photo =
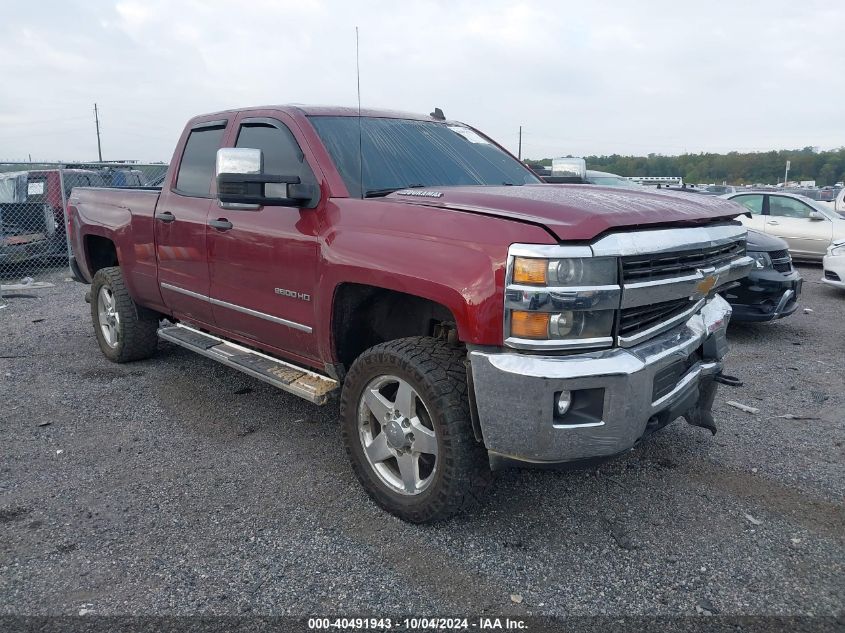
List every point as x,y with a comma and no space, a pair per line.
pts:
33,202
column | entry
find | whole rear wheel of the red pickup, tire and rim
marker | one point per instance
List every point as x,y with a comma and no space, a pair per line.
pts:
125,332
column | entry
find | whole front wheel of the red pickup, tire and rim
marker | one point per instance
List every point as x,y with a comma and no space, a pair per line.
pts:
406,426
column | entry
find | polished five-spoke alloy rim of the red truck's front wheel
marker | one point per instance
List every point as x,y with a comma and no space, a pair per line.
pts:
397,435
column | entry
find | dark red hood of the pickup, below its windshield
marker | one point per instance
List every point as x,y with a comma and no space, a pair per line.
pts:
575,212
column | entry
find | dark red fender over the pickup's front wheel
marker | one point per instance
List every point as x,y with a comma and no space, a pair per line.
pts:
450,257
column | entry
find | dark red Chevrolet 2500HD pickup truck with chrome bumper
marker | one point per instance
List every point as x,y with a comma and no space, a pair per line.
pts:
468,315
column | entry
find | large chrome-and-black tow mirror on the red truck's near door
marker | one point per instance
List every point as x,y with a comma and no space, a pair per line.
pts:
241,180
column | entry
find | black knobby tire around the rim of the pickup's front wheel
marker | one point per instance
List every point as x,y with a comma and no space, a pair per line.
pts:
436,370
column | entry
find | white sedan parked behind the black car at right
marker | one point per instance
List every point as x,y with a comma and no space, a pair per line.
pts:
808,226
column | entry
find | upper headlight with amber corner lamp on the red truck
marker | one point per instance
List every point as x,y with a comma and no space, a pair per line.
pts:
587,271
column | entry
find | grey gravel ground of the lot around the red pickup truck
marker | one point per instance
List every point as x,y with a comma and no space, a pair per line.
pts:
178,486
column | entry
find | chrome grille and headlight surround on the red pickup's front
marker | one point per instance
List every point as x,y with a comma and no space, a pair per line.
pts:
664,276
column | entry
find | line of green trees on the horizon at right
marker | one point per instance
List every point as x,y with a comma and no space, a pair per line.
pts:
825,167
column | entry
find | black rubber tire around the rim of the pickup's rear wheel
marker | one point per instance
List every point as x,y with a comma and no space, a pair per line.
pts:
137,337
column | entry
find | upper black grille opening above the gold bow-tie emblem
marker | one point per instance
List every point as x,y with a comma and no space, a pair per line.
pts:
679,263
